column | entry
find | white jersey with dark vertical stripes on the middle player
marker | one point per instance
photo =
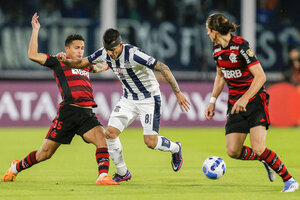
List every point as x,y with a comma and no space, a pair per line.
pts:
134,70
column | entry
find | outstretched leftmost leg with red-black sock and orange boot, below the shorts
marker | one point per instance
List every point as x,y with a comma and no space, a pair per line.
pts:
47,150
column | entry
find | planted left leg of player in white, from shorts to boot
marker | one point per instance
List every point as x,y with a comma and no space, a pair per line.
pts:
122,116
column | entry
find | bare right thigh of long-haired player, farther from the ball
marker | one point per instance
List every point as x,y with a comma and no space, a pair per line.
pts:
258,139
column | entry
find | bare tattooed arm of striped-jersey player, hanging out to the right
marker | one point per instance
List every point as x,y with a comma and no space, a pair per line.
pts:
167,74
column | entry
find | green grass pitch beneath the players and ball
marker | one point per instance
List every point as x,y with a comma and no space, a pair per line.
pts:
72,171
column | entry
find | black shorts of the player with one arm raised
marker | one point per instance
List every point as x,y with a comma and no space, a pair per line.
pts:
71,120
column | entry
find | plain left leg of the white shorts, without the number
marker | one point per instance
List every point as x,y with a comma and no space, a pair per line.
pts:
124,113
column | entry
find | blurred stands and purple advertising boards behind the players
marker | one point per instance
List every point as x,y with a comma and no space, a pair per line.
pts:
171,30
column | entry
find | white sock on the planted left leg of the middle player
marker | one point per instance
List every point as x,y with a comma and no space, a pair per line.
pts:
115,151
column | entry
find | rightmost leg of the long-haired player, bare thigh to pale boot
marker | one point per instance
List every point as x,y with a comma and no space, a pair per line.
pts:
257,138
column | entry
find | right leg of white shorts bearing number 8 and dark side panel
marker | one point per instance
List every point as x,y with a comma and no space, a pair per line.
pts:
149,113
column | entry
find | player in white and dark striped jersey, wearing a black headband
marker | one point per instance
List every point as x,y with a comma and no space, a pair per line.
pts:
141,97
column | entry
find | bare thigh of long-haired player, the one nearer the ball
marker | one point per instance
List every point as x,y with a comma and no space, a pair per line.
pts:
234,143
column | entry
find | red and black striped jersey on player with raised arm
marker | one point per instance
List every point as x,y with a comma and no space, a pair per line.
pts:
74,84
